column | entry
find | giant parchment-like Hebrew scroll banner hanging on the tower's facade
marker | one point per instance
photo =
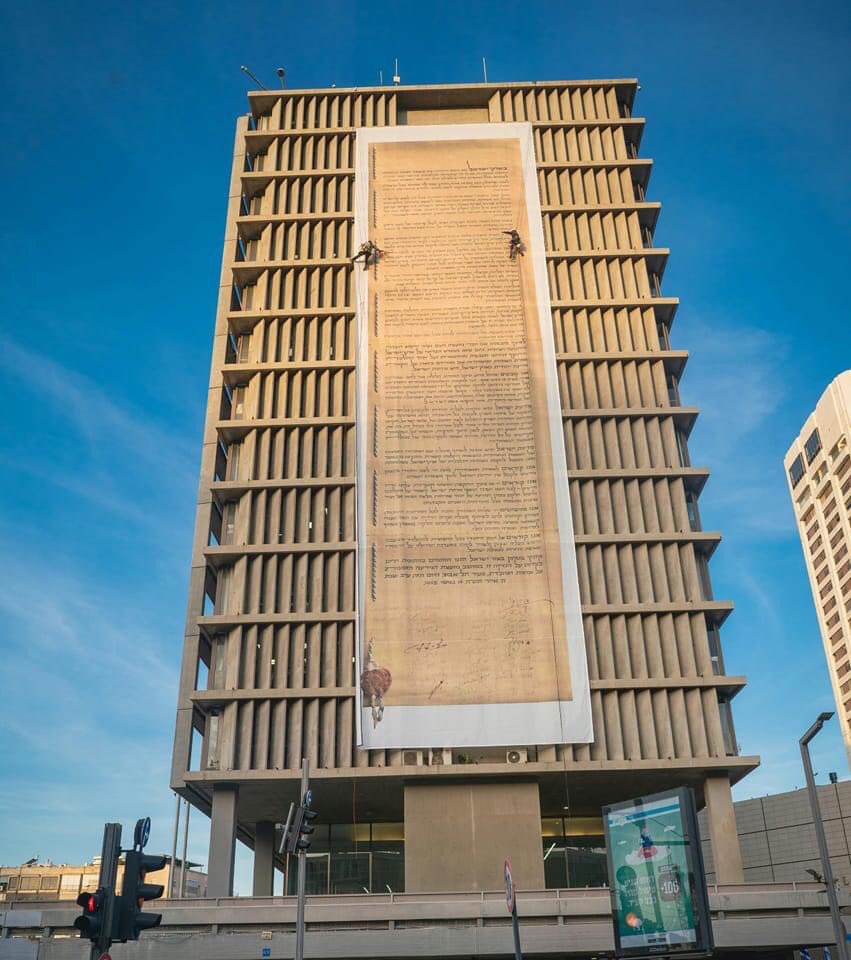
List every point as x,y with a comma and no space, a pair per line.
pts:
470,631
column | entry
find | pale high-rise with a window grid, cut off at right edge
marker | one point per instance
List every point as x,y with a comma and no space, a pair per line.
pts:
818,471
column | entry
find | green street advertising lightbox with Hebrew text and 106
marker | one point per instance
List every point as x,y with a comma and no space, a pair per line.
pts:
656,876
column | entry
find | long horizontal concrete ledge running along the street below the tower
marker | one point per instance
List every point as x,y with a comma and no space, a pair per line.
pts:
419,925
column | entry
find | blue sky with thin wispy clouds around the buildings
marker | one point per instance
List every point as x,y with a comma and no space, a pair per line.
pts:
118,123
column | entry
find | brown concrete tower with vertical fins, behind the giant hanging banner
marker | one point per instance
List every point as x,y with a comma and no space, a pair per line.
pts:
270,665
